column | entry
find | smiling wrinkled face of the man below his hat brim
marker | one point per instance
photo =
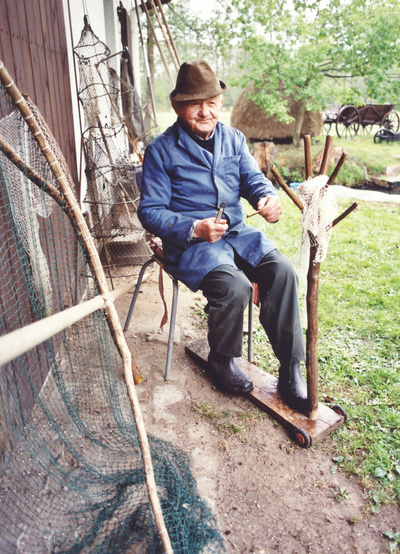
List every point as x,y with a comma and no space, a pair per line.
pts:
200,116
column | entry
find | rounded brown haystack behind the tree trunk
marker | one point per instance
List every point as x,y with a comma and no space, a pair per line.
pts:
256,125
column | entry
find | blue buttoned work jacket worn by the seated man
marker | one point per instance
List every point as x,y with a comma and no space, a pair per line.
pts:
183,182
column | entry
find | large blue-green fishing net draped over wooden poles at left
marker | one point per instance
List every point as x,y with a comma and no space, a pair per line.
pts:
72,469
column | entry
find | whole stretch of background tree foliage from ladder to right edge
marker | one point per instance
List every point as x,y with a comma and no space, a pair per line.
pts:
318,52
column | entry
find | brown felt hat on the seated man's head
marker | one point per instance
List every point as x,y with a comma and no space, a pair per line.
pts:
196,81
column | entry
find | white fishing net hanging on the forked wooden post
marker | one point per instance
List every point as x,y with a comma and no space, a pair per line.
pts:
319,211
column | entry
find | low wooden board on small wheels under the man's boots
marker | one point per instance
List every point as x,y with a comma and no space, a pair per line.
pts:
304,431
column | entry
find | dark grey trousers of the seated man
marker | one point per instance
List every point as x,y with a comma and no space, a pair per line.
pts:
228,289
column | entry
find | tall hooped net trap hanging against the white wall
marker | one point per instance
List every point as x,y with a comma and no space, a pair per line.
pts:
114,139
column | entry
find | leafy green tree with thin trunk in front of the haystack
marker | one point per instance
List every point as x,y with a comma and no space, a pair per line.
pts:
293,47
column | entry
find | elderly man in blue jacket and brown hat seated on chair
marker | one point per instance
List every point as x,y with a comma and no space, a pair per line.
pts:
189,171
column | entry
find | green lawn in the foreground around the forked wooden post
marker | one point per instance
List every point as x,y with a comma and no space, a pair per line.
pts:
359,364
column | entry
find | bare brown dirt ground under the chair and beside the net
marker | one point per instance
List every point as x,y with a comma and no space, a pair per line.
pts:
268,494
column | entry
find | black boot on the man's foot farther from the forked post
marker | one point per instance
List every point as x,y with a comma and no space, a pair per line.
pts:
228,375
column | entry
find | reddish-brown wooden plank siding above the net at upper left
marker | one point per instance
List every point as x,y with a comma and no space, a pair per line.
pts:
33,48
